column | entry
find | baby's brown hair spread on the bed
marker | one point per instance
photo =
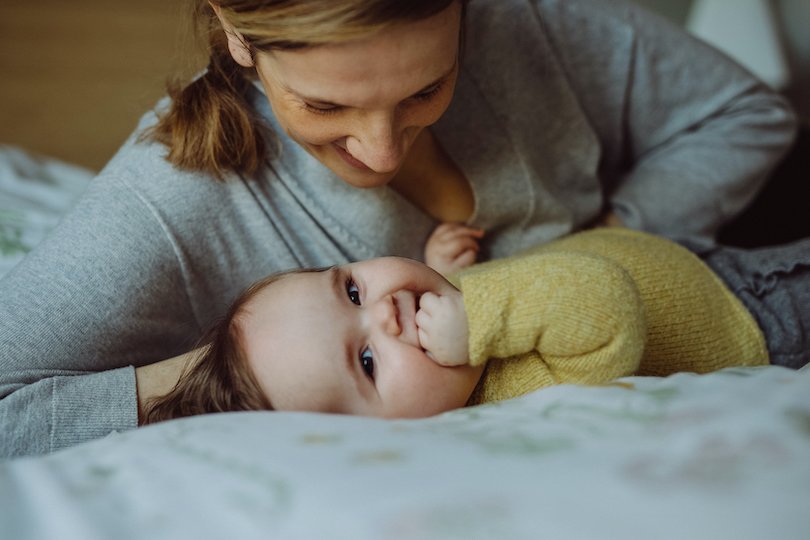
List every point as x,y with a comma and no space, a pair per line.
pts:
220,379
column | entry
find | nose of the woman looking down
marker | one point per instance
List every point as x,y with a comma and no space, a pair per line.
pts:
379,144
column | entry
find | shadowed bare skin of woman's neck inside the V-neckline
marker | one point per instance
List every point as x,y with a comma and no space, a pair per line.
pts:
430,180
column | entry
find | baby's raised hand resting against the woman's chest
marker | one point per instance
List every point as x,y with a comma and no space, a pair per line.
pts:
452,247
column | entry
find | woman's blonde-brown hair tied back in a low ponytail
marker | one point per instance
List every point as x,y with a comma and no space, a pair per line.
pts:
211,127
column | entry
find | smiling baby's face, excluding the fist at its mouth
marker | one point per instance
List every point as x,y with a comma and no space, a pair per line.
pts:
345,341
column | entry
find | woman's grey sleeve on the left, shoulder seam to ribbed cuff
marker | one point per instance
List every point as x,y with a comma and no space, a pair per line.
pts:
102,293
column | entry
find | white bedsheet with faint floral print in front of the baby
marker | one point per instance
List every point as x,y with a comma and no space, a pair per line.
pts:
723,455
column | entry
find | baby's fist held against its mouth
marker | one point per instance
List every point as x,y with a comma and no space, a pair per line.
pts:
442,328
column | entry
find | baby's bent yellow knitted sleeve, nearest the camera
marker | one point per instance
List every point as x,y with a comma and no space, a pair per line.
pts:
555,318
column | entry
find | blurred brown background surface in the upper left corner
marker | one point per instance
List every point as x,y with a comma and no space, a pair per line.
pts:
75,76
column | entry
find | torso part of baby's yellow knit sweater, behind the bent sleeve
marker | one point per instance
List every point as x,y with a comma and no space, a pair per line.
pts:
694,322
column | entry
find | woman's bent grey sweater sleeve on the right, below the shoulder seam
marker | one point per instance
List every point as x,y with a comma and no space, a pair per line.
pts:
688,136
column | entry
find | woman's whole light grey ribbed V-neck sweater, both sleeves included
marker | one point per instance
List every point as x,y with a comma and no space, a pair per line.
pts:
559,105
